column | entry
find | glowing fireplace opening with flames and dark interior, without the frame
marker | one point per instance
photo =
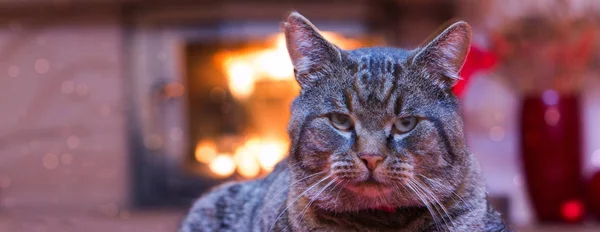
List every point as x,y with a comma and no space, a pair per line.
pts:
238,98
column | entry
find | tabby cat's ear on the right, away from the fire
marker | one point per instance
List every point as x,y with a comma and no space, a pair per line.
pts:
444,56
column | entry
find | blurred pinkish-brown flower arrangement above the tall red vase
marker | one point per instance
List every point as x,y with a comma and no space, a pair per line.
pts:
545,45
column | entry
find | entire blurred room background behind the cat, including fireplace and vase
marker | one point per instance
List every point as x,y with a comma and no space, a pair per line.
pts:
115,115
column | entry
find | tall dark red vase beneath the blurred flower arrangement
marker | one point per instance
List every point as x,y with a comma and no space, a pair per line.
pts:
551,155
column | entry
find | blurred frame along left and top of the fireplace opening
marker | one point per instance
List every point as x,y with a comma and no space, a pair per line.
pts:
155,35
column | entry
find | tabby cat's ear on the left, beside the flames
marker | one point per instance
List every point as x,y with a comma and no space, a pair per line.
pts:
312,56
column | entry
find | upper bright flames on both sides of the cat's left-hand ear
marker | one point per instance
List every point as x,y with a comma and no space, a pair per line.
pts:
245,68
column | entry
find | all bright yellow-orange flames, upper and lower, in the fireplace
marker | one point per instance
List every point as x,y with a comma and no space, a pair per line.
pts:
244,68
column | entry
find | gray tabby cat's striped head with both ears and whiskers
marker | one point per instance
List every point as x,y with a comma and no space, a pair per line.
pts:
376,126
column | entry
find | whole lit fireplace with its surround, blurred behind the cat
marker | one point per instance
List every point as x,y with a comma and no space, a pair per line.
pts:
211,87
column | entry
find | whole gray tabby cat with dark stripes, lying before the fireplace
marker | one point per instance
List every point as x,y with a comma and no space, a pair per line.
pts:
377,145
